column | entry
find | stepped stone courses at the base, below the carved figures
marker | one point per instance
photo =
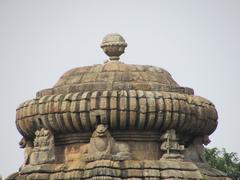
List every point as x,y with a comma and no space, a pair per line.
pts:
115,170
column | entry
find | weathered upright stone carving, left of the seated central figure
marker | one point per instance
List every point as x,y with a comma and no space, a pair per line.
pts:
44,148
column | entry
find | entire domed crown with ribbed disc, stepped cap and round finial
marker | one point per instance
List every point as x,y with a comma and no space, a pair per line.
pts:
126,97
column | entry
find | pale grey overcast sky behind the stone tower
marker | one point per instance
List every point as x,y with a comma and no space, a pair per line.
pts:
198,42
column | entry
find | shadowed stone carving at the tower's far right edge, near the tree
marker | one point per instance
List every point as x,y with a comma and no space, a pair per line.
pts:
196,151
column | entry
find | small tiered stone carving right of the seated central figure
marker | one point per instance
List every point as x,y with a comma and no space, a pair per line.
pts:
170,146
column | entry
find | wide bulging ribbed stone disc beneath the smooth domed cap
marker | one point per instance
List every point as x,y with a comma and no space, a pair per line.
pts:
120,110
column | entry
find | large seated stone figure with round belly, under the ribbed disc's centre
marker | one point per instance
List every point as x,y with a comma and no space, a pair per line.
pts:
103,146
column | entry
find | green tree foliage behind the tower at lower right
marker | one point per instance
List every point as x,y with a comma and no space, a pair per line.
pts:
224,161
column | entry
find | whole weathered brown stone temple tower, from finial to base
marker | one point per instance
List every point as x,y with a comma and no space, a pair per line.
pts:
116,121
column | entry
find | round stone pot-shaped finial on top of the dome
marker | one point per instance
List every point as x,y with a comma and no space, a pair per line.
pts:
113,45
